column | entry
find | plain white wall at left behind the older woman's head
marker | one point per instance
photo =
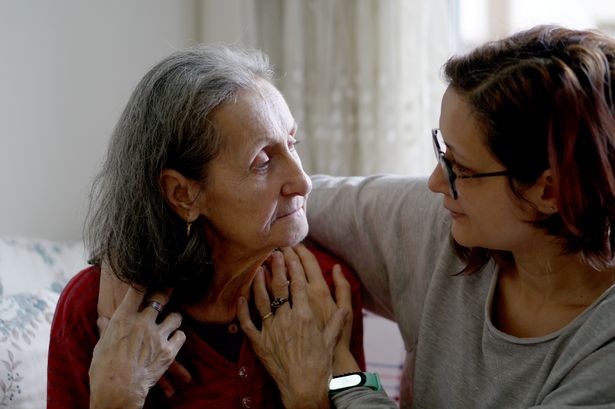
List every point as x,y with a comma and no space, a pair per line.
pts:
67,68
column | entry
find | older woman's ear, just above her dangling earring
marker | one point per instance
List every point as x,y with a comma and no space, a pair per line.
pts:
181,193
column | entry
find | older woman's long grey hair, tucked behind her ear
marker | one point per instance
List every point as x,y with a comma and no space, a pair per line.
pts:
165,125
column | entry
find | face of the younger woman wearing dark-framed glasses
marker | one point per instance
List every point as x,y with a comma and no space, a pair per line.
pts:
486,213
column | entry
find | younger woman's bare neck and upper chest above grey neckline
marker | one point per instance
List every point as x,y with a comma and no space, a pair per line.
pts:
544,290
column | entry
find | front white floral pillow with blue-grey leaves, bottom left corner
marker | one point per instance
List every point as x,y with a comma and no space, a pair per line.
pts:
25,323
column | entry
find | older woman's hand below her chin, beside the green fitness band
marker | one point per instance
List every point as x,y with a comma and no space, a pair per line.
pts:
296,345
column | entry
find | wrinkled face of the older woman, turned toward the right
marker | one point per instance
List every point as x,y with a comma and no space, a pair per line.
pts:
256,189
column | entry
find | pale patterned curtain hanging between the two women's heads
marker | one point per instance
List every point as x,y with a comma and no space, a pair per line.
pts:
362,77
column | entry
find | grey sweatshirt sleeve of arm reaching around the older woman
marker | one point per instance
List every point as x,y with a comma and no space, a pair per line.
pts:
389,229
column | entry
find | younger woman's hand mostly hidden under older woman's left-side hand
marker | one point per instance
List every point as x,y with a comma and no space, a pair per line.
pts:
110,295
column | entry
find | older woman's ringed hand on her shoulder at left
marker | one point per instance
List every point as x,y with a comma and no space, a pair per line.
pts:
133,352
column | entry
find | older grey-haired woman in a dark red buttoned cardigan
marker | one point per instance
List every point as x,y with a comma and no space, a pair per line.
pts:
201,183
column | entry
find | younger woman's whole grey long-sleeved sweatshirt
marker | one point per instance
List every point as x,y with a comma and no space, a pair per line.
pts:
395,234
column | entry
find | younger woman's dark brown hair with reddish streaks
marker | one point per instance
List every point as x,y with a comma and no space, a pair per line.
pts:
544,100
